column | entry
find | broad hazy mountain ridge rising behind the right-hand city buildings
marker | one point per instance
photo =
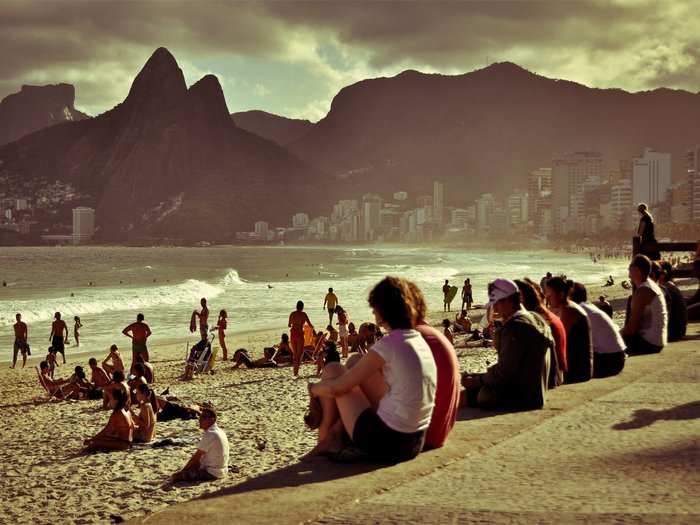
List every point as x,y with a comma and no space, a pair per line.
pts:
484,131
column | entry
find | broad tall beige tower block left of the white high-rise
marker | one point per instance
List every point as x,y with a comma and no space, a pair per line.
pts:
569,173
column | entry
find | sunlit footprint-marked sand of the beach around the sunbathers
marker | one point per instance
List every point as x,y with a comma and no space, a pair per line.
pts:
44,480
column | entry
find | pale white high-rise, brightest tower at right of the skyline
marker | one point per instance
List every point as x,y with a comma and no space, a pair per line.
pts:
651,177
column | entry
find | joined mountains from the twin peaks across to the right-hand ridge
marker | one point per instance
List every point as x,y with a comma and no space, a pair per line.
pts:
171,161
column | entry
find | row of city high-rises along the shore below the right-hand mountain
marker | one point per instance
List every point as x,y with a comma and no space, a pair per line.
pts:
573,195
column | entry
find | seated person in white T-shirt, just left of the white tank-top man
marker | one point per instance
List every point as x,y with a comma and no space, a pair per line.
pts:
608,345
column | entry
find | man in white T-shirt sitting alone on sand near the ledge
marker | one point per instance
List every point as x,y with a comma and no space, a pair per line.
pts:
210,461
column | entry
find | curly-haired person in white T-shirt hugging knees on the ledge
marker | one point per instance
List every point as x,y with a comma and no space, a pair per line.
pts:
385,401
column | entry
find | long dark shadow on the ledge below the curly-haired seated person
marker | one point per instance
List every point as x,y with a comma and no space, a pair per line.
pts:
315,471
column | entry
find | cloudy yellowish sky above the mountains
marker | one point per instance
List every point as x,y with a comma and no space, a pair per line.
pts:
291,58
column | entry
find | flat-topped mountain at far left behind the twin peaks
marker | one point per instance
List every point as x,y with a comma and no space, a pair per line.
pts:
36,107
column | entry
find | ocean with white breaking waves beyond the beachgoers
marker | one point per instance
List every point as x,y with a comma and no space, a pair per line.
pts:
258,286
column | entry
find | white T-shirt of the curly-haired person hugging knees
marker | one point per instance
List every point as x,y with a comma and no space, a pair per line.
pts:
410,373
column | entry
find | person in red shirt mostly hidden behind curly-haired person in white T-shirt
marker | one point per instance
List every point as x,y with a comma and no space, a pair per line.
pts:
448,376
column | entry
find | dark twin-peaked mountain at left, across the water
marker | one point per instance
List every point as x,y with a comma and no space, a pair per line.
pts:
169,162
